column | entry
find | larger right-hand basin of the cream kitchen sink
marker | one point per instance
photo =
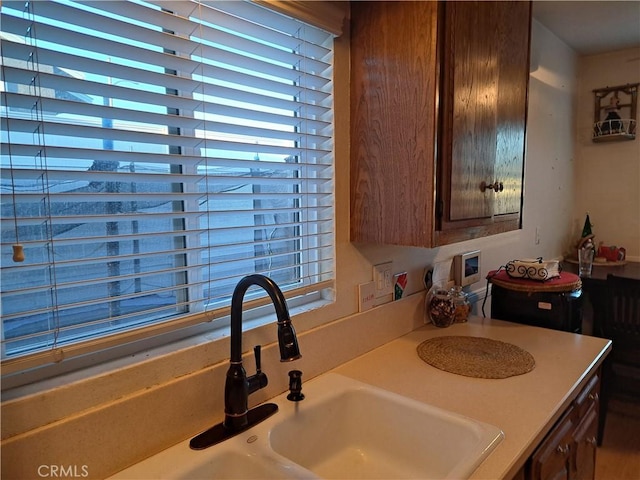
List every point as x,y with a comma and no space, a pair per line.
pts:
352,430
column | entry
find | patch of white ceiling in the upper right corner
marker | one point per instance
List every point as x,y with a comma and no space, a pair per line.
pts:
591,27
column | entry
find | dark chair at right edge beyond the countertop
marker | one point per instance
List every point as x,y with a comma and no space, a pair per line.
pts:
621,372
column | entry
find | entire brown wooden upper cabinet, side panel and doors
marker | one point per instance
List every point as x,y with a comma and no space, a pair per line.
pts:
438,110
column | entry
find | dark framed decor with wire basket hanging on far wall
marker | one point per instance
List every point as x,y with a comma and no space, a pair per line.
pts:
615,113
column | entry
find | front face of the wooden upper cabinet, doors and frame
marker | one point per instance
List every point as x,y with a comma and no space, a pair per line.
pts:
484,96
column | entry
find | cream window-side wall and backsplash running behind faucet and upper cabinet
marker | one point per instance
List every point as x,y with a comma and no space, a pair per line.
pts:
116,414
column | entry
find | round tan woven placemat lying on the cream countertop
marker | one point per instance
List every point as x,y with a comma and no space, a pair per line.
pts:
476,356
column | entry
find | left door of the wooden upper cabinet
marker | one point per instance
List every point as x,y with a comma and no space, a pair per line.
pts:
470,97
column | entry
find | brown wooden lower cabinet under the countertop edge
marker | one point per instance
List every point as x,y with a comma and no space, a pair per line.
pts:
569,449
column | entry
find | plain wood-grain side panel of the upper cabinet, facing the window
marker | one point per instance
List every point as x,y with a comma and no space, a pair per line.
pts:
394,80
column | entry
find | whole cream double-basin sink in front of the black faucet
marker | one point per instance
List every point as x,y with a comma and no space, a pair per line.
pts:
343,429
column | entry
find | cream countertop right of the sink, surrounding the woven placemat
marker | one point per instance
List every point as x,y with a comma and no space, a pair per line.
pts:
525,407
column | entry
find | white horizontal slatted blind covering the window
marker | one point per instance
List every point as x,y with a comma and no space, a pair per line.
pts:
154,153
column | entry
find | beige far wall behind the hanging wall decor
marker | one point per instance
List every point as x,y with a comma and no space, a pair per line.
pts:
607,174
